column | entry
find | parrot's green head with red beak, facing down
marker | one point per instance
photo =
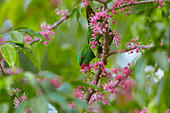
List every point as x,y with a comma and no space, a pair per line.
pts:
85,56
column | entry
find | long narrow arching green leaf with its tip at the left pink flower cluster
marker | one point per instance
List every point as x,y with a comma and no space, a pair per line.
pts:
31,32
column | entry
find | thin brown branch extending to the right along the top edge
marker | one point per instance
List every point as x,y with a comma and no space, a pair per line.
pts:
136,3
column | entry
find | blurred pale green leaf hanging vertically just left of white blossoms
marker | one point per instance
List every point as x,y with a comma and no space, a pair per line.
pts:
140,72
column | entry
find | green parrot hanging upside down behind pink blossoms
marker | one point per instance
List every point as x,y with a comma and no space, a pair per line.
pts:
87,54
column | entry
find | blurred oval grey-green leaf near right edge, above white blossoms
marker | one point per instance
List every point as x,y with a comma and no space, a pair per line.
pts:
161,58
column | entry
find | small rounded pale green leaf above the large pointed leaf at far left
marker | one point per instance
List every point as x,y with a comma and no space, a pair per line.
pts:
17,36
